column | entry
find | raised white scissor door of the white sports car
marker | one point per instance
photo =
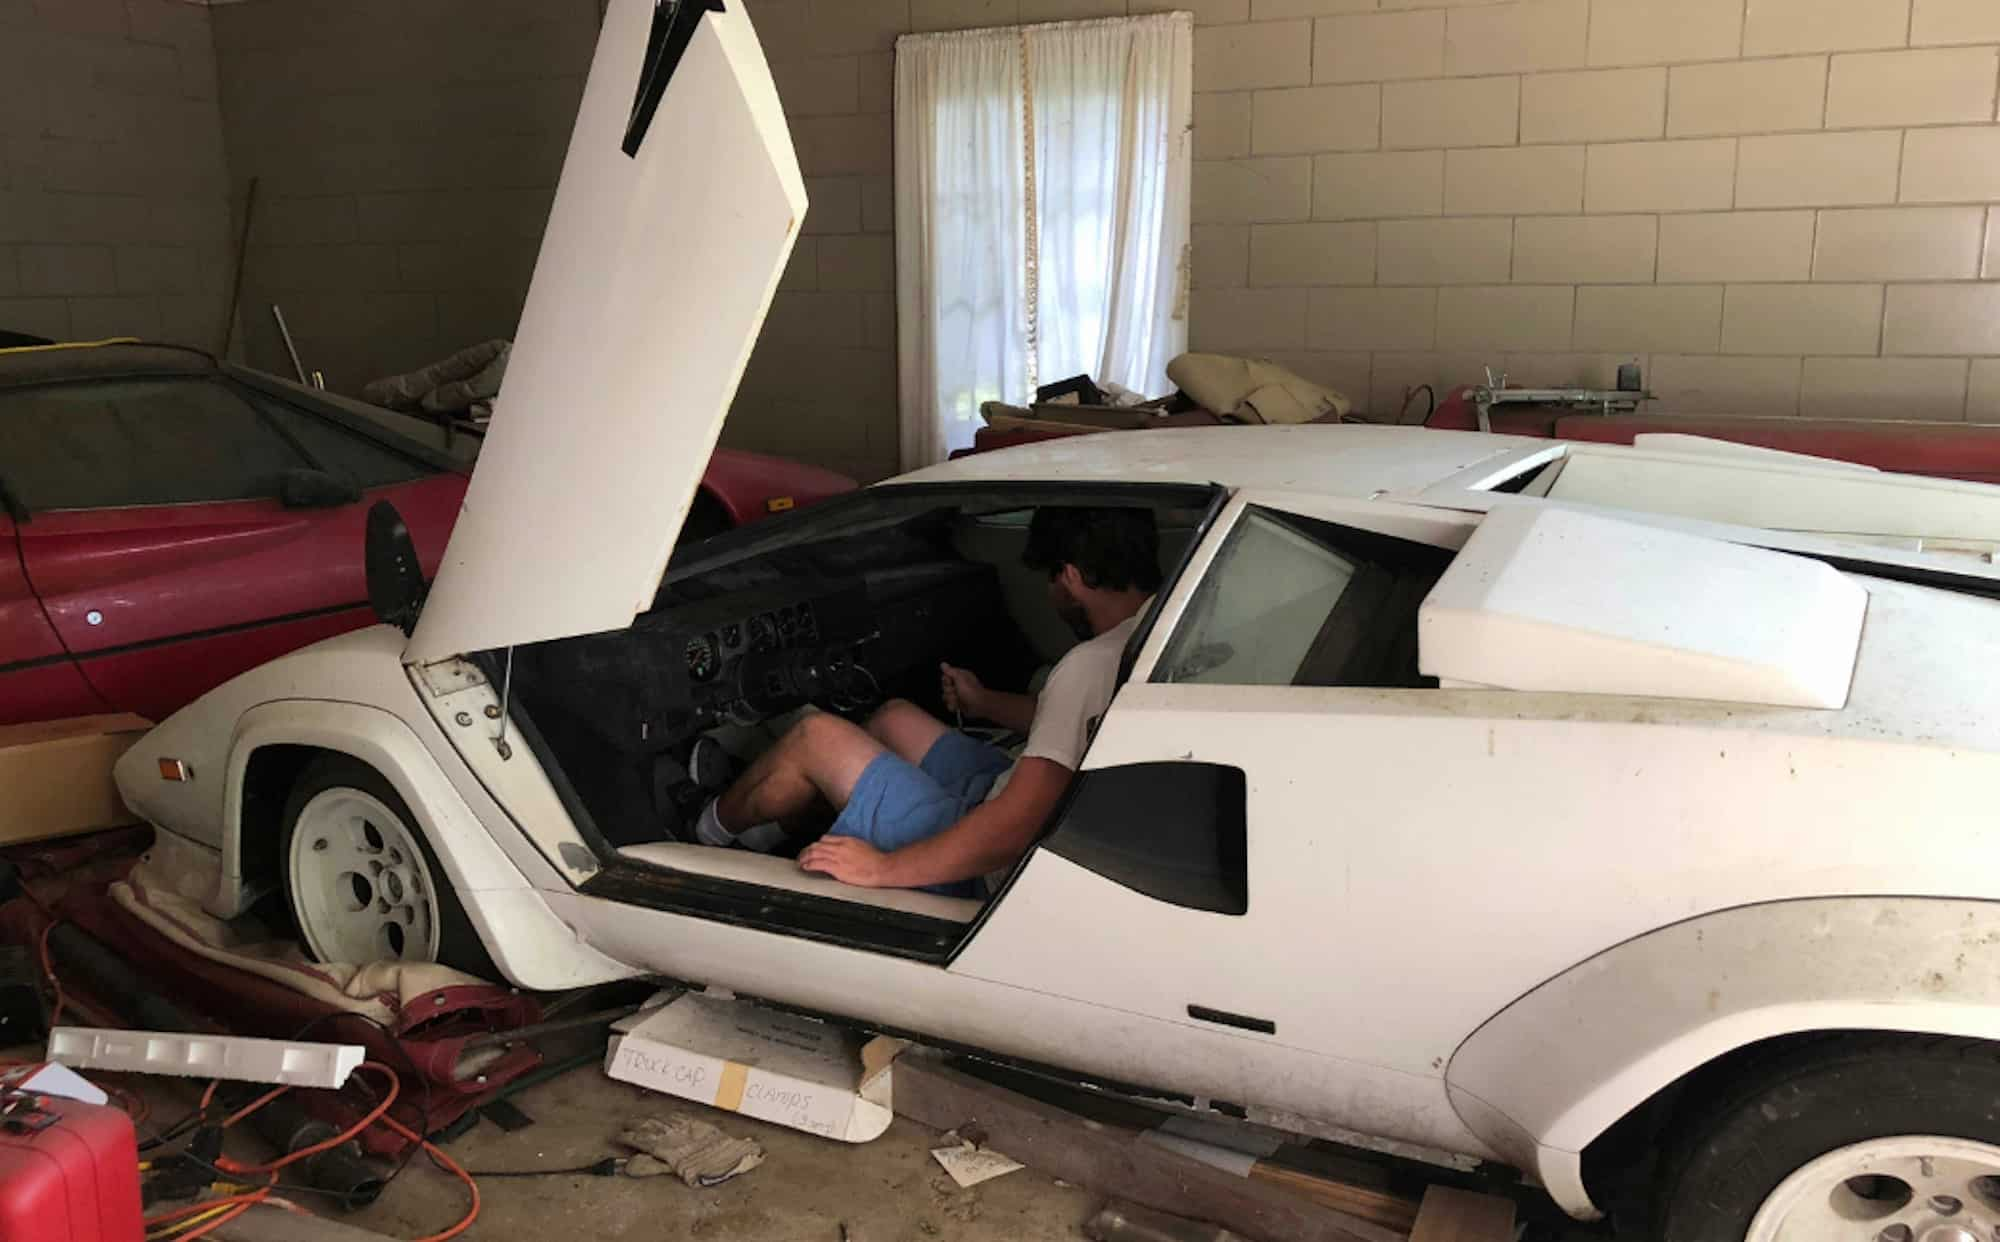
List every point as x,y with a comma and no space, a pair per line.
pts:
653,283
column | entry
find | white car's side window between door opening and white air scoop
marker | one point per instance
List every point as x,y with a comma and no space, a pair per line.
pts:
1301,603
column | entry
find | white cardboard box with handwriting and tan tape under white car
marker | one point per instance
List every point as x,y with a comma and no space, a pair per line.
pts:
775,1067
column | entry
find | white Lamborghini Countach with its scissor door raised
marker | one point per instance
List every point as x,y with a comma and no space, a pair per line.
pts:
1623,815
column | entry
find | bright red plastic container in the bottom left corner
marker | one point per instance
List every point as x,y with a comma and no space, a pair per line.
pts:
69,1171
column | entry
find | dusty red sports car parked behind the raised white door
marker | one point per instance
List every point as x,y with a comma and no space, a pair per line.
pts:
169,521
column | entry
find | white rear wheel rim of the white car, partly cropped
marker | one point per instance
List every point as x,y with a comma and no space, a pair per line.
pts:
1911,1189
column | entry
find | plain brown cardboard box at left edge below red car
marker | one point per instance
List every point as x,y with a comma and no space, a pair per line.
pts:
57,777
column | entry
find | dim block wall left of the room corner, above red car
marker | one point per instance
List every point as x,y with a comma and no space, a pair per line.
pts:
113,191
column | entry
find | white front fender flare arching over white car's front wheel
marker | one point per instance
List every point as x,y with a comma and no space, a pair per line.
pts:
527,941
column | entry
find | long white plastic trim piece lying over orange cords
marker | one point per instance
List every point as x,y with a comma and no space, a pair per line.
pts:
293,1063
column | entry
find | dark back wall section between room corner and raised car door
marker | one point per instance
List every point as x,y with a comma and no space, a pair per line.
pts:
407,155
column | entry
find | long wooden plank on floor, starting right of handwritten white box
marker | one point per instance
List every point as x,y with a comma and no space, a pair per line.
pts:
1111,1159
